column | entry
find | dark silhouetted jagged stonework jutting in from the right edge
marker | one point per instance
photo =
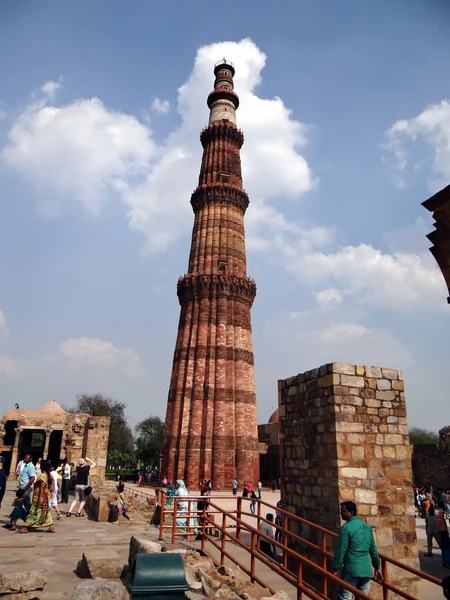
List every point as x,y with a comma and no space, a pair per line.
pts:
439,205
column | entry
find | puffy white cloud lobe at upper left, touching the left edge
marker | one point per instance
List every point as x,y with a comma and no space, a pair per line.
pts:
76,152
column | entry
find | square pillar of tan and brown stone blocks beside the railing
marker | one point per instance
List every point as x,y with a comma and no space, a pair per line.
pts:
344,436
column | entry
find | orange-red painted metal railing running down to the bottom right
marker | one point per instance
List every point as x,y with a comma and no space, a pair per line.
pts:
230,527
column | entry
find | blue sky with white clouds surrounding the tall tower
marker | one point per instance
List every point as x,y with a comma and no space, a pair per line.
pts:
346,117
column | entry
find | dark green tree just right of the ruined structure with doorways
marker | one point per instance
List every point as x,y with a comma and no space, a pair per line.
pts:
99,405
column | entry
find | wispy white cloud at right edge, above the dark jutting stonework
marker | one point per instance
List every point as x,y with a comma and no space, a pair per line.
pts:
431,126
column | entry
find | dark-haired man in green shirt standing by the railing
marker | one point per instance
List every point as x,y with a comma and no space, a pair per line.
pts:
356,553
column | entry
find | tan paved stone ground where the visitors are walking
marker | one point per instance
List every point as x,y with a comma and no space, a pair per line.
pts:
59,553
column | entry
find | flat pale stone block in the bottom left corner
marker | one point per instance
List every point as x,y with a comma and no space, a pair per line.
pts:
19,582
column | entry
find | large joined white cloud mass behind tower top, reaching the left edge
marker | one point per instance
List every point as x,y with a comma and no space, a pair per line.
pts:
84,150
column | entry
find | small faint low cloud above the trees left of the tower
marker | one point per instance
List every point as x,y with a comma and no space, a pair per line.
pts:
82,352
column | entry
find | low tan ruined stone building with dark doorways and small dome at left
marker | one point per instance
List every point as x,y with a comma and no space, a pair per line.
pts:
51,433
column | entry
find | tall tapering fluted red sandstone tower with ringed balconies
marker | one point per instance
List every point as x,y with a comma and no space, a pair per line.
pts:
211,424
